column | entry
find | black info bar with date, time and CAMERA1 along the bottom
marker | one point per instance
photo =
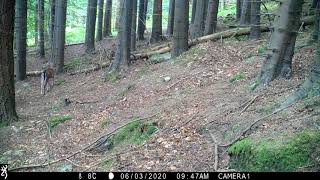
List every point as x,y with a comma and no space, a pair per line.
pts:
157,175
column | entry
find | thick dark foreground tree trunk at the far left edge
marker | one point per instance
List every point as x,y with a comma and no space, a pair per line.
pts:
7,92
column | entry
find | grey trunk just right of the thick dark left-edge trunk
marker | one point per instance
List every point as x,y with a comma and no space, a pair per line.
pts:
21,38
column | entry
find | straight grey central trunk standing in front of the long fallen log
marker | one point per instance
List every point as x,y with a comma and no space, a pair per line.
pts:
181,28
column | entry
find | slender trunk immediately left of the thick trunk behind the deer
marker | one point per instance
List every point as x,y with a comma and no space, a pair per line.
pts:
52,29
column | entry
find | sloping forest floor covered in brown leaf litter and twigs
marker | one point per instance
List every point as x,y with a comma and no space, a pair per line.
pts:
203,97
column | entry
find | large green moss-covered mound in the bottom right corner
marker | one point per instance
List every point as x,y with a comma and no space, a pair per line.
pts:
276,155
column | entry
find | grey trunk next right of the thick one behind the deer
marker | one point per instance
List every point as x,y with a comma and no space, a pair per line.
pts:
91,25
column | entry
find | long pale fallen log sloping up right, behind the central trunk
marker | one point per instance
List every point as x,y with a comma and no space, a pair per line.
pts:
309,20
